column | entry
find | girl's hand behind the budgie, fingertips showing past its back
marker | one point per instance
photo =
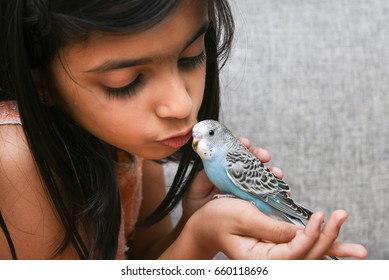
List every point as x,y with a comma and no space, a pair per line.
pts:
202,190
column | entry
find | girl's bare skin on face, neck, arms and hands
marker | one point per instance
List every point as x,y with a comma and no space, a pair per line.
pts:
165,104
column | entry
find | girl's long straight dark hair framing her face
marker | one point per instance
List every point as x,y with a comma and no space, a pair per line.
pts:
75,166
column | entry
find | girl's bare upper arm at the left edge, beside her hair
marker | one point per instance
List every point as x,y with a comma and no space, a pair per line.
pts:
28,214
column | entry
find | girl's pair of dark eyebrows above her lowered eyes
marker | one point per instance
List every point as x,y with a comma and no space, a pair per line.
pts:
119,64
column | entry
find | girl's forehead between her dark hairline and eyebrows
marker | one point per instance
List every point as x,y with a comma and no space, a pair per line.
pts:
168,38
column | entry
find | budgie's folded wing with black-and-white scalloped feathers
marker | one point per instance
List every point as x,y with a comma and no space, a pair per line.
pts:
251,176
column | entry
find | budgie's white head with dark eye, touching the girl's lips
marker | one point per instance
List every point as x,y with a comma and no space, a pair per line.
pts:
209,137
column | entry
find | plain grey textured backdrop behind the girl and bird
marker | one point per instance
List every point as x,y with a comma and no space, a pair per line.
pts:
309,81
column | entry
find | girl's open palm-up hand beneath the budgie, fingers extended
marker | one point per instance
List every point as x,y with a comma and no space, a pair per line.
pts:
236,228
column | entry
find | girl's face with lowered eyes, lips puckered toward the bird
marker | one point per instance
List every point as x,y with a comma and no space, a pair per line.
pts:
139,92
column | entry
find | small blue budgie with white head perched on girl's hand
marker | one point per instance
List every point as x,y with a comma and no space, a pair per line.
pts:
237,172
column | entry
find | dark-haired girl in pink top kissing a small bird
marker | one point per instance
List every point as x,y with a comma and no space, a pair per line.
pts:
94,96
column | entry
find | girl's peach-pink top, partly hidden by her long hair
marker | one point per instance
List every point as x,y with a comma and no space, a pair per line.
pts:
129,178
